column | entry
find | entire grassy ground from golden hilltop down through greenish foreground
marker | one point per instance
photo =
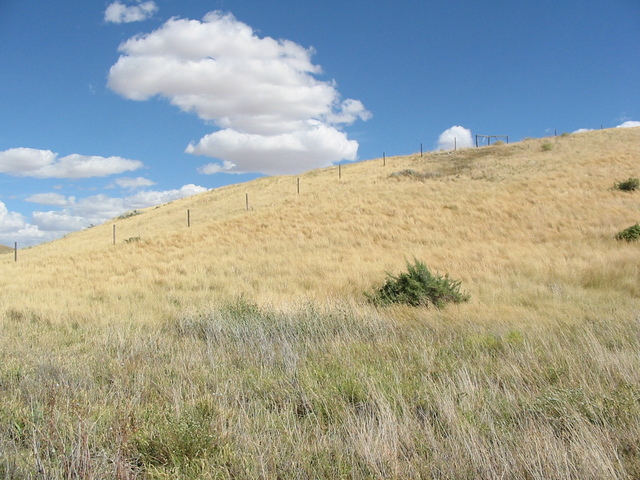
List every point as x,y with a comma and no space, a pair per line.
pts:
242,346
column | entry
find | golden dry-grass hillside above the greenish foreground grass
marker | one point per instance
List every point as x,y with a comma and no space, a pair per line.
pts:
527,227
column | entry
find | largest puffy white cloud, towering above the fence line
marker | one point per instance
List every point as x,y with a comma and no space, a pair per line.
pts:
261,93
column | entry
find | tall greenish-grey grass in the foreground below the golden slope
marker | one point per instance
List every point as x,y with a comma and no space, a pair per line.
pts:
245,392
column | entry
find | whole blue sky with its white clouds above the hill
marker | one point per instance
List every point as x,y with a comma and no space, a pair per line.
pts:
111,106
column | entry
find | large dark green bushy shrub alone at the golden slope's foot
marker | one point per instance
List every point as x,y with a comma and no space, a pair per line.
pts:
418,287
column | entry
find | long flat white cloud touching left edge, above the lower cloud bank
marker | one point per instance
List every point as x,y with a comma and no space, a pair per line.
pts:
31,162
